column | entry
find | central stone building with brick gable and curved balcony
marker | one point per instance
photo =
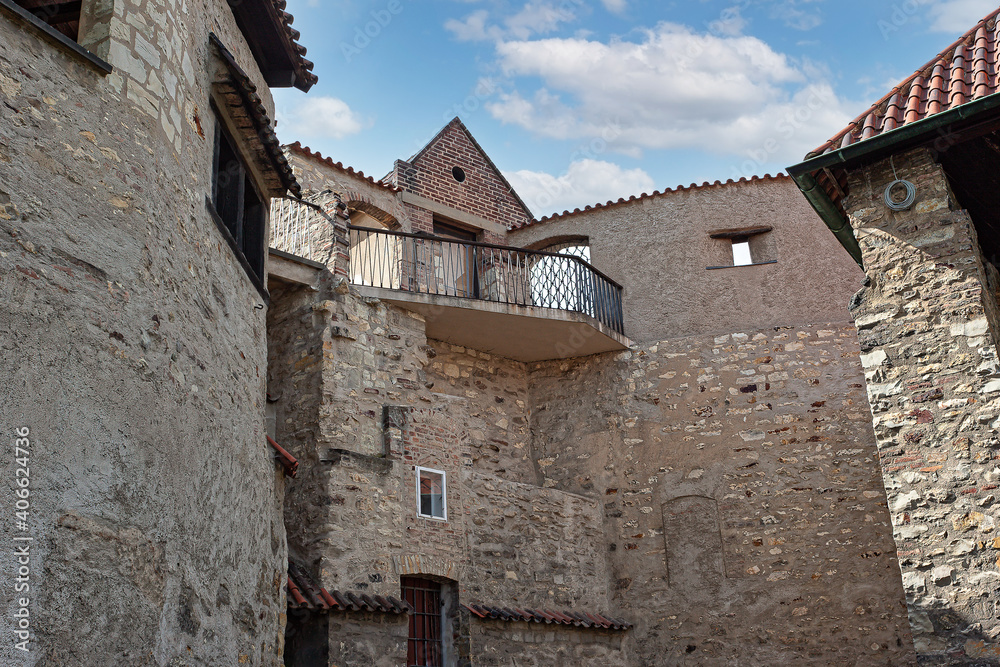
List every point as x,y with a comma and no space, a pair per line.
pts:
653,447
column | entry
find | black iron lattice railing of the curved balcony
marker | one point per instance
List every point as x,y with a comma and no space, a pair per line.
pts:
432,265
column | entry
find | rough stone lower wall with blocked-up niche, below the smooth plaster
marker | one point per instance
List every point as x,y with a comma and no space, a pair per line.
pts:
744,513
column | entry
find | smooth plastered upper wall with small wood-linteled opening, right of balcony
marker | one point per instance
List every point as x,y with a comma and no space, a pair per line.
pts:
671,292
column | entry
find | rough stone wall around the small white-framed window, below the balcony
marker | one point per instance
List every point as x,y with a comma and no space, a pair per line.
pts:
362,398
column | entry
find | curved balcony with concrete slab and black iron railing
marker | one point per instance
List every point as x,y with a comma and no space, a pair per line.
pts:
521,304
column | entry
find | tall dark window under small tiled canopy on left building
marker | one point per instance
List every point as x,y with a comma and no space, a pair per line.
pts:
238,203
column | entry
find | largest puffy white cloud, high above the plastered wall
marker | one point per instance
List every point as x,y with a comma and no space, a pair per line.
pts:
673,89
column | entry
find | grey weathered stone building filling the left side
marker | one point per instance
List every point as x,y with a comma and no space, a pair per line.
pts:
137,159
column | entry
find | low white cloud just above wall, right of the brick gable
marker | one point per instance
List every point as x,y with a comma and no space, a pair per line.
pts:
586,182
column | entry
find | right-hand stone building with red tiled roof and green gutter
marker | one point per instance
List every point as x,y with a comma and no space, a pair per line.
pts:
909,188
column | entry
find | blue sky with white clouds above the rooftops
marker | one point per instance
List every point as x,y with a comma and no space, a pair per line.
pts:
582,101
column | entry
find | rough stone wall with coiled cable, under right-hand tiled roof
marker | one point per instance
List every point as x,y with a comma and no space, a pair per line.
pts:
931,365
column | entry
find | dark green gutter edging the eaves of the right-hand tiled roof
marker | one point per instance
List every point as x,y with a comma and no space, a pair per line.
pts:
940,126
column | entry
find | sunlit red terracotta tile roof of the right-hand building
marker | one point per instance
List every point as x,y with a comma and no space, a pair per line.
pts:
965,71
